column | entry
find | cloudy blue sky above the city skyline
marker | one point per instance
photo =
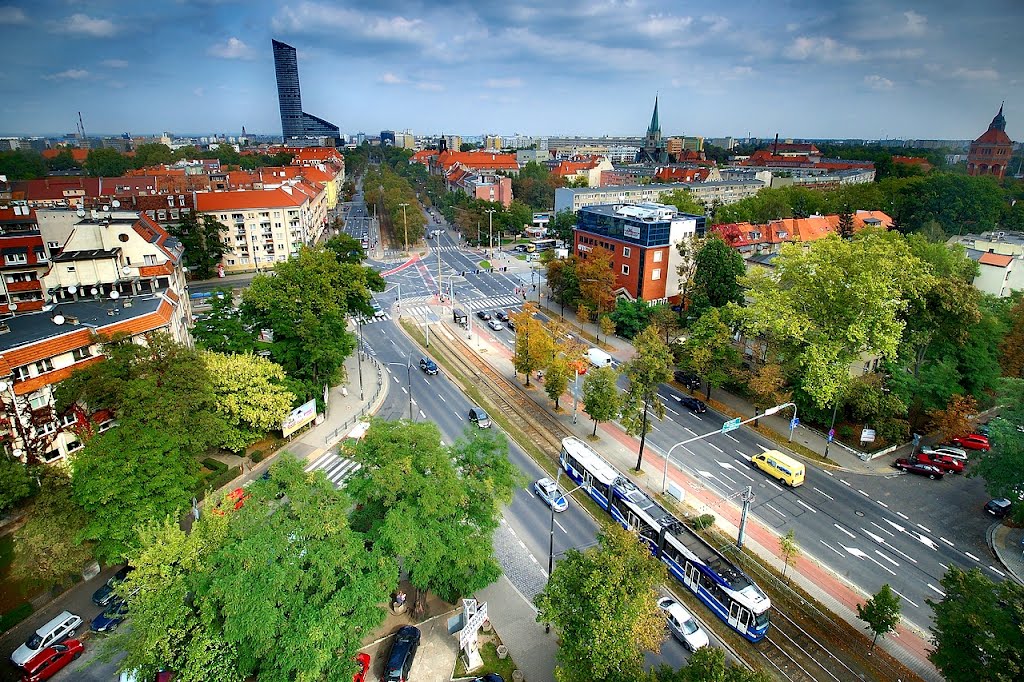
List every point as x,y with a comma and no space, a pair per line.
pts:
869,69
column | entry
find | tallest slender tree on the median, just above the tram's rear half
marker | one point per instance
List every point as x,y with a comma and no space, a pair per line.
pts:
651,368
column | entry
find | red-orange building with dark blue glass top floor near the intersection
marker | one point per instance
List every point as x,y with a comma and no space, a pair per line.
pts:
643,240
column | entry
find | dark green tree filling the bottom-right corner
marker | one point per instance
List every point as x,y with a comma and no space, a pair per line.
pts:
977,628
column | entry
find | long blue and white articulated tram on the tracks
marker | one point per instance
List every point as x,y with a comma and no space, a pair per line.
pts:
730,593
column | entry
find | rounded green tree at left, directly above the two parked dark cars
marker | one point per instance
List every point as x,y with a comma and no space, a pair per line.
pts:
130,477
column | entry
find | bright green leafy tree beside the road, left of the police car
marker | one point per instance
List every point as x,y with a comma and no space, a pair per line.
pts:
434,507
